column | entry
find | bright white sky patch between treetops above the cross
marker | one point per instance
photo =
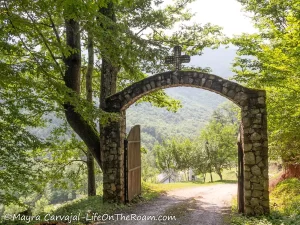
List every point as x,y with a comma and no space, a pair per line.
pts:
225,13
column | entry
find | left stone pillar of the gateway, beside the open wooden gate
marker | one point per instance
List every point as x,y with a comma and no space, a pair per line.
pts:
112,143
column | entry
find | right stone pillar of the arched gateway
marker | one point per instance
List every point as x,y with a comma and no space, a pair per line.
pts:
255,146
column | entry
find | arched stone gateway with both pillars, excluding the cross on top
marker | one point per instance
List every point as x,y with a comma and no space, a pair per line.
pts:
254,136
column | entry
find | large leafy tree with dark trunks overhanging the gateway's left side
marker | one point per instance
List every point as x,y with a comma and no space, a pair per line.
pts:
128,38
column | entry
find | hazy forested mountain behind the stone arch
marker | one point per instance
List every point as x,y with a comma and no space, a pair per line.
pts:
198,105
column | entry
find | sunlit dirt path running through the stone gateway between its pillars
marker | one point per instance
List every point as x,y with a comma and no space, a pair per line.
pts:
206,205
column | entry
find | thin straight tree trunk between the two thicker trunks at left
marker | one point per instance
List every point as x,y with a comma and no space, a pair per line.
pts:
89,97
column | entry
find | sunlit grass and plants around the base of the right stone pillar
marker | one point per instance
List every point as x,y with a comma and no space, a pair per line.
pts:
285,207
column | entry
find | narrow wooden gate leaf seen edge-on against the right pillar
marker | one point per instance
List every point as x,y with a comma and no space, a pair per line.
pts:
240,172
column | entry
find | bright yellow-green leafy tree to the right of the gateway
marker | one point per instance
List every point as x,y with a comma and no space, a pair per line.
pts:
270,60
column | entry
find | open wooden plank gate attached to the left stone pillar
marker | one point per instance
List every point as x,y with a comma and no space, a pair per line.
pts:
132,164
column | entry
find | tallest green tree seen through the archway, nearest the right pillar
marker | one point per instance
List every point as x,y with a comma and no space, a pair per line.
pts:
216,146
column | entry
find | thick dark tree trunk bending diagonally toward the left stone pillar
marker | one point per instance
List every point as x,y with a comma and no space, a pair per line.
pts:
72,75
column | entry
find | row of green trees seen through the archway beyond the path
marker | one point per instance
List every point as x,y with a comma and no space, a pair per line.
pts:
213,151
